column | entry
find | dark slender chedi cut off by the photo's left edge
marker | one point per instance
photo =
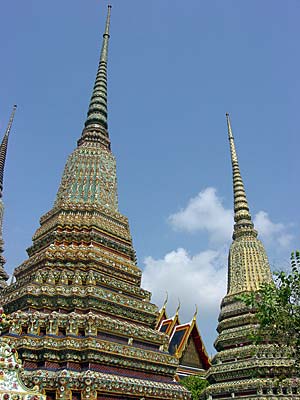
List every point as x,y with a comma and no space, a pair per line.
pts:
3,150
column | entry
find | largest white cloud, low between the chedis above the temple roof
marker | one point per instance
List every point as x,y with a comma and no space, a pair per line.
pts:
198,279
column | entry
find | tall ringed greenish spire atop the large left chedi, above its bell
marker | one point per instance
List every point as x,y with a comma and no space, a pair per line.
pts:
96,122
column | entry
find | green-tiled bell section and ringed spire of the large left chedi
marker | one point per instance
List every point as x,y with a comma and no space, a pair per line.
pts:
90,173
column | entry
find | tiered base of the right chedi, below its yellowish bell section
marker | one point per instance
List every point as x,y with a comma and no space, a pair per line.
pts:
242,369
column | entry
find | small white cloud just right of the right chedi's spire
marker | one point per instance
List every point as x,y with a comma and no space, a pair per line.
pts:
272,232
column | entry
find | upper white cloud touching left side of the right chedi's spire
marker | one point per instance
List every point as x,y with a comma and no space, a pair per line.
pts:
205,212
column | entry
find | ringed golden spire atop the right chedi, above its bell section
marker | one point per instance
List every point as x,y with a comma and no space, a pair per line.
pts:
242,217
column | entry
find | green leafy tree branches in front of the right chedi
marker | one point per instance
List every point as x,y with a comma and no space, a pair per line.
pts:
277,308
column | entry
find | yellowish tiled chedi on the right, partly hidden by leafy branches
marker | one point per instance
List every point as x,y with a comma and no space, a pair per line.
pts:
242,369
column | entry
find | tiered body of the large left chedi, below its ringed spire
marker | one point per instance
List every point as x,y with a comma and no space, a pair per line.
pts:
81,322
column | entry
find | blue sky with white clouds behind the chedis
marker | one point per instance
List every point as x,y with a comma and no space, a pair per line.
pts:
175,68
